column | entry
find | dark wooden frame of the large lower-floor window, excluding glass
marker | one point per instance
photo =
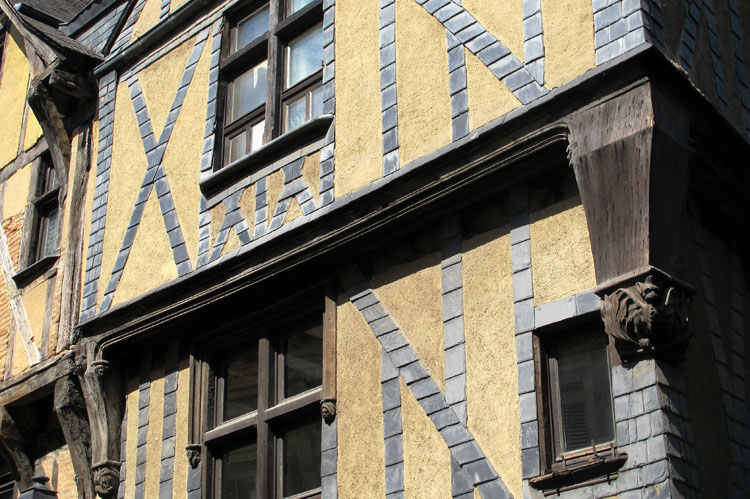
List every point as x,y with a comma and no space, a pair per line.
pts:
274,415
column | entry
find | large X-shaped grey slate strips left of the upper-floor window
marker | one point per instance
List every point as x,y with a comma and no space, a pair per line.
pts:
156,176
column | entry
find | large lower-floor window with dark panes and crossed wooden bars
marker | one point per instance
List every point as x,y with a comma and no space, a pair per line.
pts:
265,427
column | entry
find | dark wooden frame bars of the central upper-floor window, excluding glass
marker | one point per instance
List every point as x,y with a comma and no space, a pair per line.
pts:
271,46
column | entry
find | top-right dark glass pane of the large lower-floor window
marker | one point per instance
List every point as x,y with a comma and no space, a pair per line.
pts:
303,361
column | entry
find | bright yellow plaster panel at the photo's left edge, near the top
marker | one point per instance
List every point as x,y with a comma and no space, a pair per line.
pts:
15,78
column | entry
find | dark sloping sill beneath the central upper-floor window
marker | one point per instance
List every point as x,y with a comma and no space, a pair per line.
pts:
274,149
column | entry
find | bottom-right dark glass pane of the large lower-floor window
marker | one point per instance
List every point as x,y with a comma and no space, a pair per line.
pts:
301,458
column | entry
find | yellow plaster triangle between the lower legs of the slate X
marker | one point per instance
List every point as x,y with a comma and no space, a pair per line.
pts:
151,262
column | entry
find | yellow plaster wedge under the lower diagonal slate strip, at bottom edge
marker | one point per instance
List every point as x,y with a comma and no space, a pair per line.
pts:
427,462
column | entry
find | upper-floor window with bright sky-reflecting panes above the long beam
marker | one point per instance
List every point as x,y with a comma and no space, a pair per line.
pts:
272,73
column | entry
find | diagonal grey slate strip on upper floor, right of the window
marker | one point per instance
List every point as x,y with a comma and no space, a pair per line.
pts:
492,52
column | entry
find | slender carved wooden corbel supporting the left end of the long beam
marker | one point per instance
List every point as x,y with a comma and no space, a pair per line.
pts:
102,392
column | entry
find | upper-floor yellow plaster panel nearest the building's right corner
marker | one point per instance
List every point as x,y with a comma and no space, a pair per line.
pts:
568,40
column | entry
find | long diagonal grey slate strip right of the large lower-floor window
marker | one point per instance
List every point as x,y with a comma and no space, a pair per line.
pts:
461,443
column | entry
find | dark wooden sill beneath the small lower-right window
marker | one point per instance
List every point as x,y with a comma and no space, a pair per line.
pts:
594,470
